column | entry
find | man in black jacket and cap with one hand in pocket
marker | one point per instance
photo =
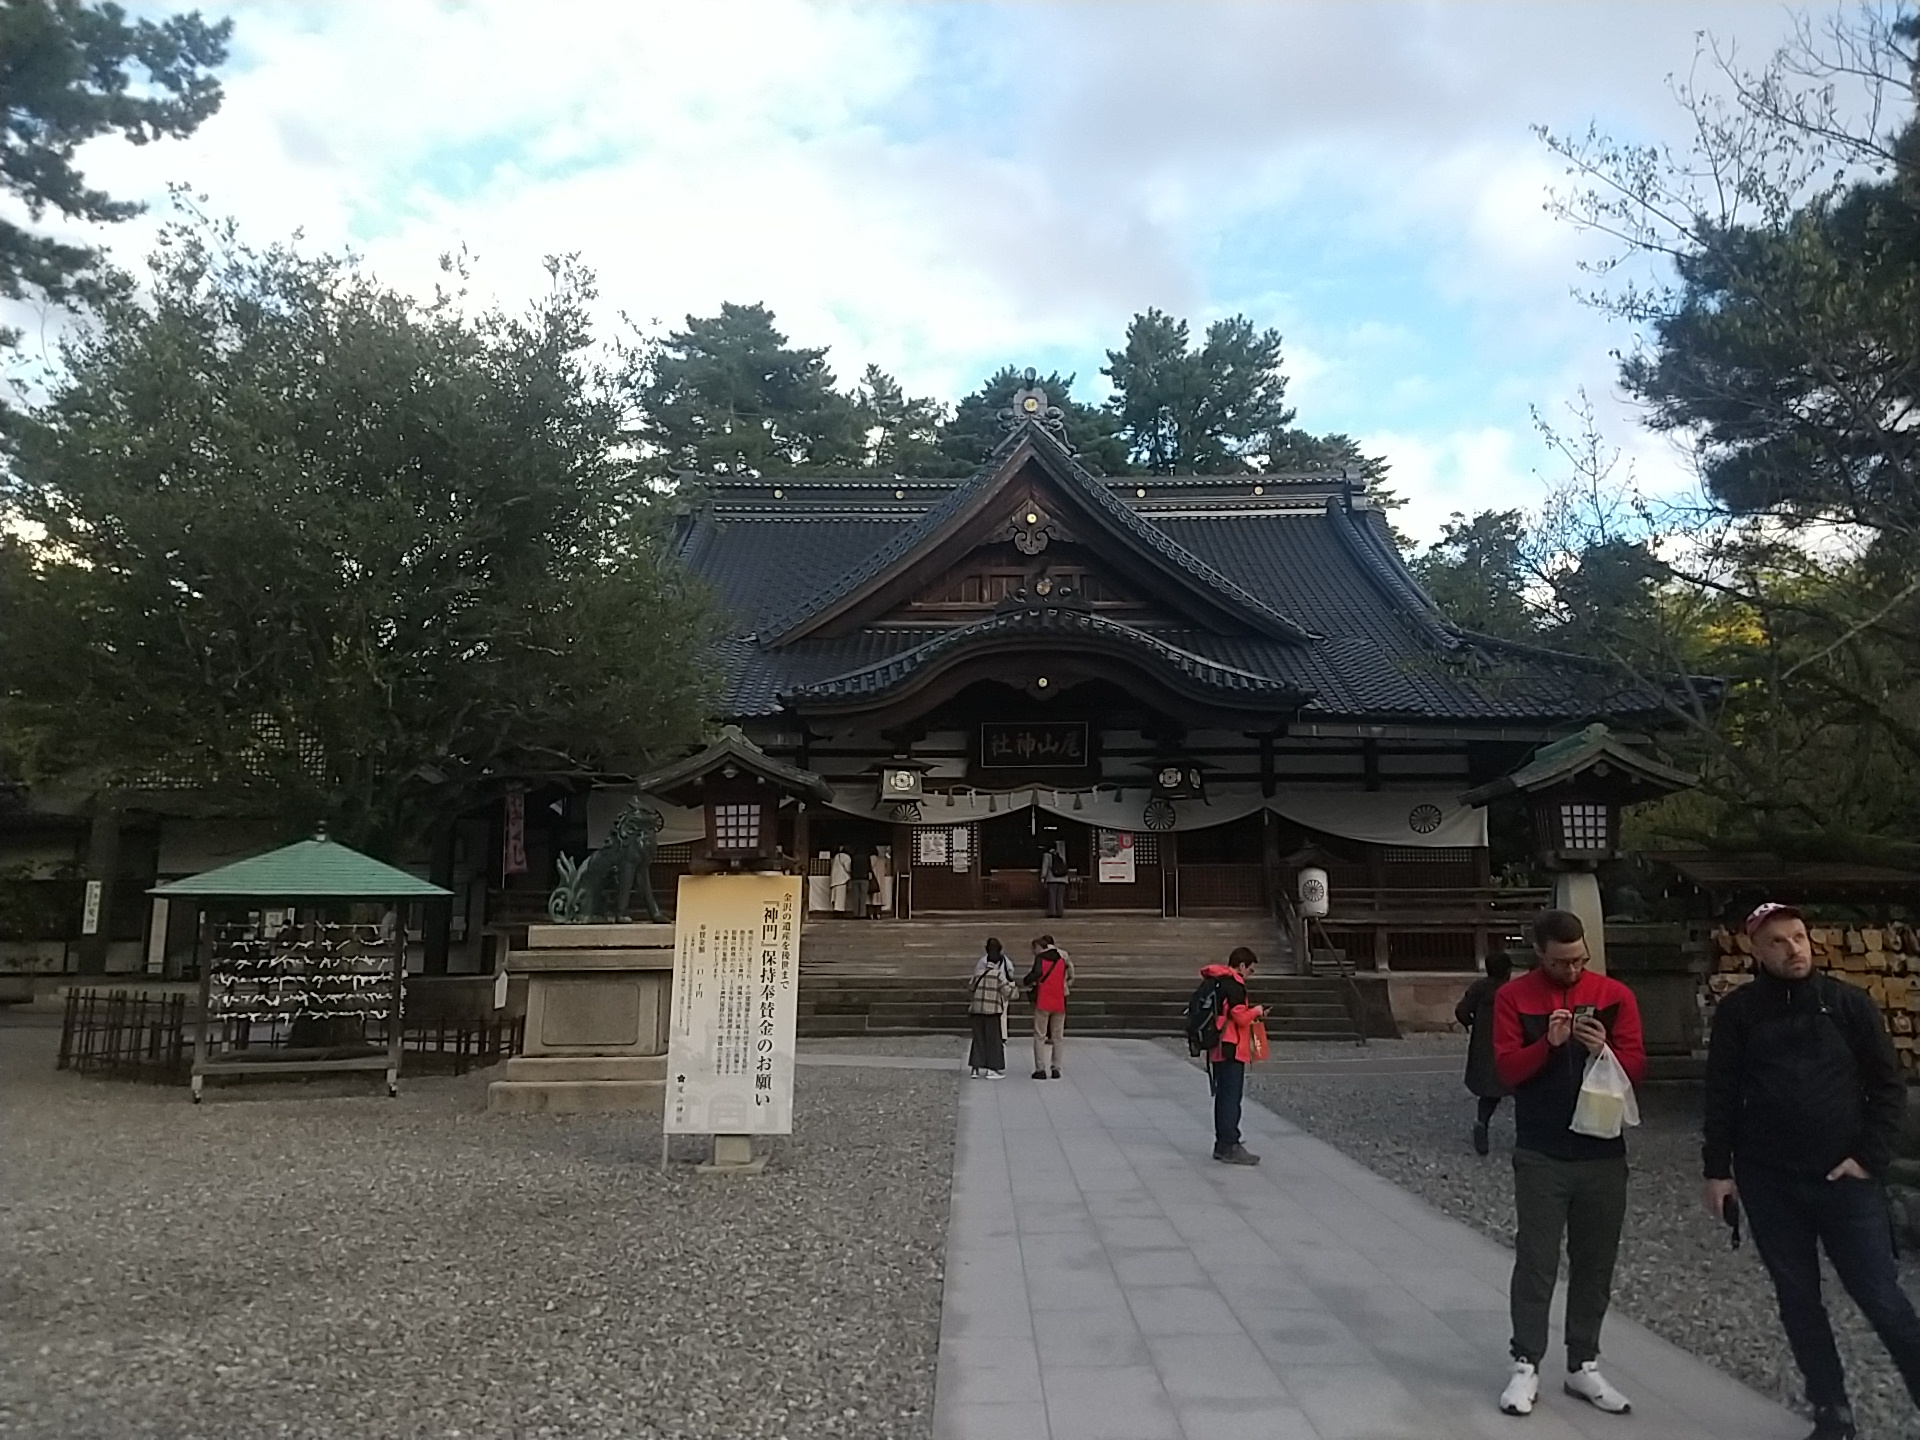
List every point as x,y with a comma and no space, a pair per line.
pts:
1804,1109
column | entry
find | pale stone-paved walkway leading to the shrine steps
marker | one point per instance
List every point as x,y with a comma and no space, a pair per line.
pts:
1109,1282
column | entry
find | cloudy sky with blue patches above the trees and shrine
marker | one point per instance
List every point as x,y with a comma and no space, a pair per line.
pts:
942,191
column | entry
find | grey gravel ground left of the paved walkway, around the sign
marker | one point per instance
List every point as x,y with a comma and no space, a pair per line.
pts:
318,1260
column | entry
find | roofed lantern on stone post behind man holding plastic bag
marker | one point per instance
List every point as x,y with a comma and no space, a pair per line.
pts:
1575,792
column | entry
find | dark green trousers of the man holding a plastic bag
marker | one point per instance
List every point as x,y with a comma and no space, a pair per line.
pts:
1583,1201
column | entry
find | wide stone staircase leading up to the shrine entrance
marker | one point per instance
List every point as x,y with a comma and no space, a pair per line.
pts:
1132,974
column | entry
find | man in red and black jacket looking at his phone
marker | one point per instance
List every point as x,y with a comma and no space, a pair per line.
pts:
1547,1026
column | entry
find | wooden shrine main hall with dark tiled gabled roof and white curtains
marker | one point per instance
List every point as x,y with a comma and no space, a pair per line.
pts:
1184,686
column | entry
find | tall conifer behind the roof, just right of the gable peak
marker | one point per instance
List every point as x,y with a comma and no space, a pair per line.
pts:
1201,410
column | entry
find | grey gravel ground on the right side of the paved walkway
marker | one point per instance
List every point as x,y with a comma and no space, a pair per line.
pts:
1677,1274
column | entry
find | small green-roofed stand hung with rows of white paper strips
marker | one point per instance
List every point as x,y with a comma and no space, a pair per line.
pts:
287,955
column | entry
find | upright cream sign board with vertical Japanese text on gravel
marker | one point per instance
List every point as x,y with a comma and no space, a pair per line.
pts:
736,984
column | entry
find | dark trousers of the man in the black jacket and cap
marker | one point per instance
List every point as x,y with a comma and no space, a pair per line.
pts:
1792,1218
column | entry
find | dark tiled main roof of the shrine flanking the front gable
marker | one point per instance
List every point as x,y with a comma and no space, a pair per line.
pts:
1380,648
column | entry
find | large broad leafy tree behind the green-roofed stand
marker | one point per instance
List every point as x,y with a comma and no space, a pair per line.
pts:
320,550
